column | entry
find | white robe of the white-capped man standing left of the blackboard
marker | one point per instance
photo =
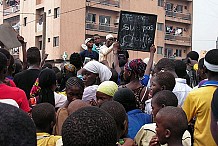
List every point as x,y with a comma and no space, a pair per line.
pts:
105,53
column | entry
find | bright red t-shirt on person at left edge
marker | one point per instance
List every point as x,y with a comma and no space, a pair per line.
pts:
7,92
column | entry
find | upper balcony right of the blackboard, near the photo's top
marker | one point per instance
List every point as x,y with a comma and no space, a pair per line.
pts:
178,17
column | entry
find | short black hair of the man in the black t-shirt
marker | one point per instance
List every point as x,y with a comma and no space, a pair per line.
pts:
33,56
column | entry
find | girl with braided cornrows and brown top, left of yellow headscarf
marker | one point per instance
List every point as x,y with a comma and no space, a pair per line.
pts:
74,91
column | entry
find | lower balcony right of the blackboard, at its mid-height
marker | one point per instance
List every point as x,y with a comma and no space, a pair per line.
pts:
177,40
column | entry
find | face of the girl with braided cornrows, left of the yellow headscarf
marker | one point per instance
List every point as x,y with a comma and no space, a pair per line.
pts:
74,93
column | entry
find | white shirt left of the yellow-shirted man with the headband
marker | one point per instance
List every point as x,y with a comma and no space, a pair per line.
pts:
181,90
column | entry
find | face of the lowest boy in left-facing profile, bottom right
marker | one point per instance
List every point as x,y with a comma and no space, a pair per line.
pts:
161,131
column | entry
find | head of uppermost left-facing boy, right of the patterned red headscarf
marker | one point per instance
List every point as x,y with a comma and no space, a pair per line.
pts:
162,81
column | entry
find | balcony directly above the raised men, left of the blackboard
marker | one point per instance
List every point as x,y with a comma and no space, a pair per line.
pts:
101,28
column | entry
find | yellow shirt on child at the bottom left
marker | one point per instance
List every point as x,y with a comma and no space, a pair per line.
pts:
45,139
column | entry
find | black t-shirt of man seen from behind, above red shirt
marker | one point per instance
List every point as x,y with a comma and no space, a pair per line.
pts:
25,80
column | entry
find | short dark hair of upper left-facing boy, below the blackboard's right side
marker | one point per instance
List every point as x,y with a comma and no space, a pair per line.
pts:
166,79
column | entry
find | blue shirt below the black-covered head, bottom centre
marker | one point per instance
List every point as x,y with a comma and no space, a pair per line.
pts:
136,119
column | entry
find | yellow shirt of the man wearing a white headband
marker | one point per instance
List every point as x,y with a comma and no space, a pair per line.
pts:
198,104
